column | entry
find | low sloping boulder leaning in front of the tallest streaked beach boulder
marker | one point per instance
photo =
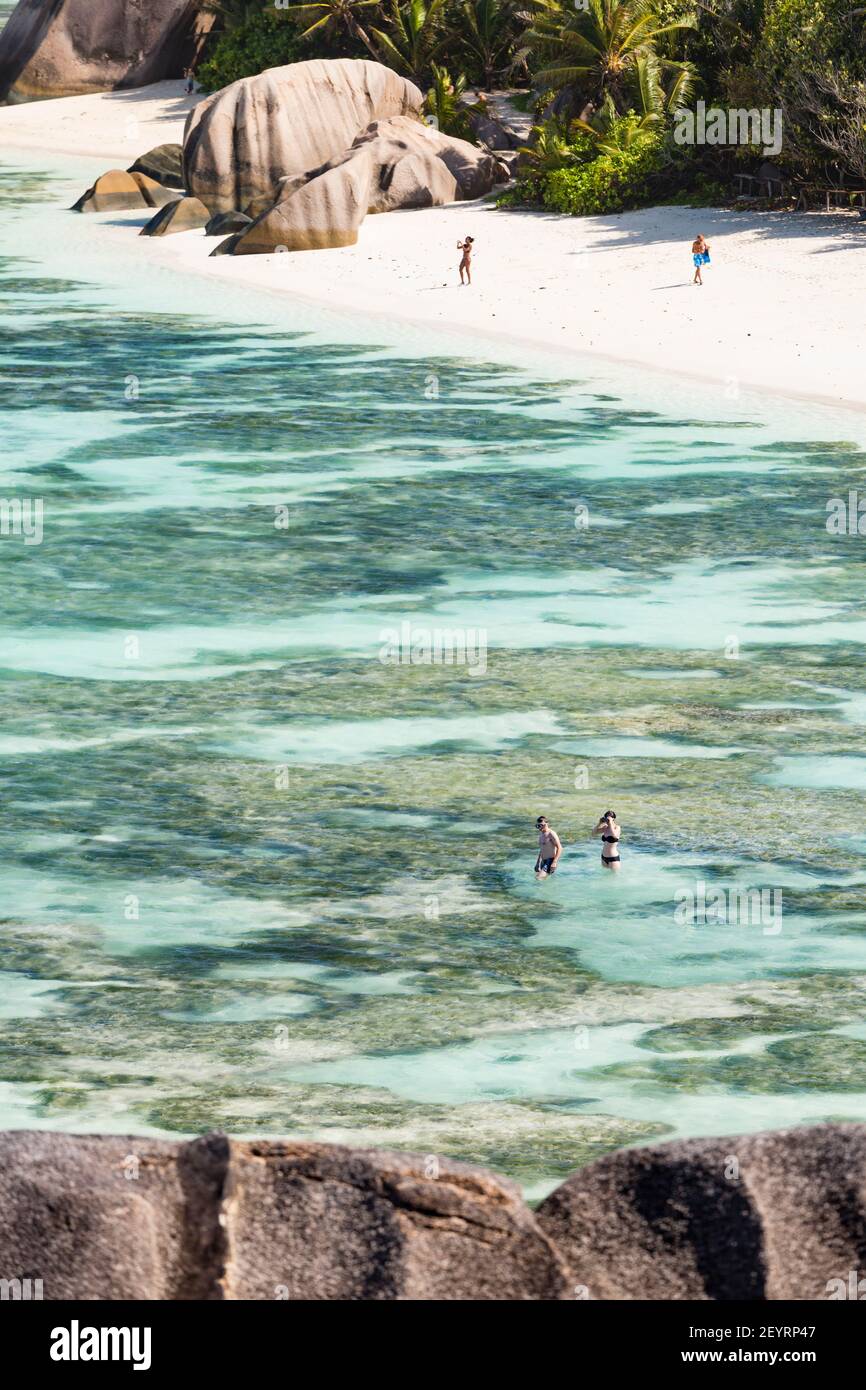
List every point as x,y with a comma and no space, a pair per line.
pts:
395,163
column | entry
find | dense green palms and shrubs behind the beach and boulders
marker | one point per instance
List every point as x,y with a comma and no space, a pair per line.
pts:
607,81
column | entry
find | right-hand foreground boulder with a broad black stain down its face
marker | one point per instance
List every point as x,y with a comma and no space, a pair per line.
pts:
776,1216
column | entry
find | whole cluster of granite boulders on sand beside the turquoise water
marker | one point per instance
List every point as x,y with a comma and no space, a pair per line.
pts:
297,158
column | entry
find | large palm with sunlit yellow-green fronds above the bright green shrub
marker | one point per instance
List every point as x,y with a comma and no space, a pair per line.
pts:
598,47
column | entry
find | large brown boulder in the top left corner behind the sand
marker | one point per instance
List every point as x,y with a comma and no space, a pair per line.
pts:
70,48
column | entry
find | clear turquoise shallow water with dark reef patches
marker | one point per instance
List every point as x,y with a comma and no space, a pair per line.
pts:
258,879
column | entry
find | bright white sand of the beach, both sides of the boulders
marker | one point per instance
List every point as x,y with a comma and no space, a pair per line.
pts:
782,309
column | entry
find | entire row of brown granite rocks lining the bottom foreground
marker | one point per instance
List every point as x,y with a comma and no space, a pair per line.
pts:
765,1217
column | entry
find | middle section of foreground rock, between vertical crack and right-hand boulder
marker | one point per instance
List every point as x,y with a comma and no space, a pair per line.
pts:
316,1221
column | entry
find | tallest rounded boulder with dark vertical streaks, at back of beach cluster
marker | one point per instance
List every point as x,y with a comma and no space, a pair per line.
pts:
243,141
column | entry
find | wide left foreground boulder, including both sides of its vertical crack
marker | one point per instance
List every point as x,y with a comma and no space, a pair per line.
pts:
126,1218
